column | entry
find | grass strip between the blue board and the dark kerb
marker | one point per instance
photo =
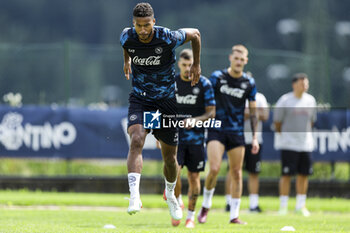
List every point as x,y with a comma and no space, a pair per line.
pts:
57,167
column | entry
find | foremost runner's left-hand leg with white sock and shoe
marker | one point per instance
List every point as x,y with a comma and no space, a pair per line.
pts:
134,162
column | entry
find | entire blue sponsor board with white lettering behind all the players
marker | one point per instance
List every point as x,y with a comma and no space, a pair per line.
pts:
33,131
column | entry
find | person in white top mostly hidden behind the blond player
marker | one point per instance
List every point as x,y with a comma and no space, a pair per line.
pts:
252,162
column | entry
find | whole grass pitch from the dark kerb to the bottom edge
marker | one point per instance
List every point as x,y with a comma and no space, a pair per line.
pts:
20,212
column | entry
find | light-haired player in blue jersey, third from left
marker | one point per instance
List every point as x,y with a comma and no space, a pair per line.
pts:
232,87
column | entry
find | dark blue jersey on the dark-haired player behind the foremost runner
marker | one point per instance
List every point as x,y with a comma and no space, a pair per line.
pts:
192,101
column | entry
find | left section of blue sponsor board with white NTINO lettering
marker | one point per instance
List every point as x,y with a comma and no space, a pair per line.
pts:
33,131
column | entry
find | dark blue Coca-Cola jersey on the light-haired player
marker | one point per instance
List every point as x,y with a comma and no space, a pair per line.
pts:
230,95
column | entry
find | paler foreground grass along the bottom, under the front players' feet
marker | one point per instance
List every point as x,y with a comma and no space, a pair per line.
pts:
159,221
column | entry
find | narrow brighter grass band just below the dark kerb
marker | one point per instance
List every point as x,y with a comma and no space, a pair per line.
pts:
28,198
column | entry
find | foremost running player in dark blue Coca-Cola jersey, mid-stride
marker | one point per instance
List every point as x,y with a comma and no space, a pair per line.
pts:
149,57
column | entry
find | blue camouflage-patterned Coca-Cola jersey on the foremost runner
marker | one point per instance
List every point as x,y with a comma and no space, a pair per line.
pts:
152,63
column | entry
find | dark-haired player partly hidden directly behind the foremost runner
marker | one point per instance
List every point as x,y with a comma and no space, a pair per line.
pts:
194,103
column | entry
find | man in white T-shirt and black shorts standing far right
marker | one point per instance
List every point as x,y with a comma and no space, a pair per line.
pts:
294,117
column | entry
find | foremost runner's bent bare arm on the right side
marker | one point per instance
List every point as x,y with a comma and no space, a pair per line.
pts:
193,35
